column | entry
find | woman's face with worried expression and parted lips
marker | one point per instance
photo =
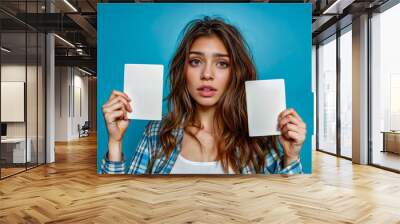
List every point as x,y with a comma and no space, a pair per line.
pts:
208,70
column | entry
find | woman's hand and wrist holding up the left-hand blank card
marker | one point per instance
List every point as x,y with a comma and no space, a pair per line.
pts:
116,117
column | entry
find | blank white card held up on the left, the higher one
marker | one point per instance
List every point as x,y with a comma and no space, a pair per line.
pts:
144,85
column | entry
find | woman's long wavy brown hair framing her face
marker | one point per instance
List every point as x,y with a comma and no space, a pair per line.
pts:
235,148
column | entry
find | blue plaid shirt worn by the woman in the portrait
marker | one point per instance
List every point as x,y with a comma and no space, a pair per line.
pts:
149,146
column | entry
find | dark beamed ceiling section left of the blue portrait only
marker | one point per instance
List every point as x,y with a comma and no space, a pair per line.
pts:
73,20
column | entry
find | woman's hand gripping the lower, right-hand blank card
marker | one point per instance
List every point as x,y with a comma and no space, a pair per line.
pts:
293,134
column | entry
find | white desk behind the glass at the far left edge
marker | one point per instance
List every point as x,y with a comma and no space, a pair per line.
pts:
17,150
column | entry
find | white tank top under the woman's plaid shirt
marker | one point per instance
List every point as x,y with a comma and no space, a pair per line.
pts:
185,166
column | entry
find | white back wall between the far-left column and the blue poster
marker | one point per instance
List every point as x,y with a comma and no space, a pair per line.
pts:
69,82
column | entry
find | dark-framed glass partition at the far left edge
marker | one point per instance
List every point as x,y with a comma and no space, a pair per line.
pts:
22,64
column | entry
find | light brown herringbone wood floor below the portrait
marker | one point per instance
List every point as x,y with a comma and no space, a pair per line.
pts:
70,191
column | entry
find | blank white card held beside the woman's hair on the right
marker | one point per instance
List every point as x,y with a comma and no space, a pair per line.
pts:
265,100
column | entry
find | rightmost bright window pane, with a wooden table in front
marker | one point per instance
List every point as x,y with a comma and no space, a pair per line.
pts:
385,88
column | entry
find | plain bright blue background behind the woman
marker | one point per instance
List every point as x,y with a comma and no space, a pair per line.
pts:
279,36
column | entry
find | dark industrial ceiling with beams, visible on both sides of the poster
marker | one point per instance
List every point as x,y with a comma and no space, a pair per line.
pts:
76,22
